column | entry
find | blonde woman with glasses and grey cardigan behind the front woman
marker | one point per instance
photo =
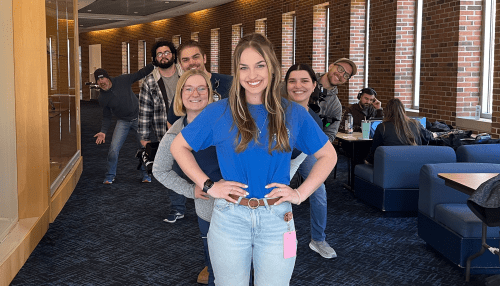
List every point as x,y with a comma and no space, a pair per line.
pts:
193,94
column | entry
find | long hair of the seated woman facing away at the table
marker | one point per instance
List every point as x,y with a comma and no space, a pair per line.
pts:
395,113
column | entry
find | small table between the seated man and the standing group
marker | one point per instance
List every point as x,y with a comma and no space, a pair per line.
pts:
352,143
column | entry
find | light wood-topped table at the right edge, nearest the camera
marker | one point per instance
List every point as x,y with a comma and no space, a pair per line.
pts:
468,183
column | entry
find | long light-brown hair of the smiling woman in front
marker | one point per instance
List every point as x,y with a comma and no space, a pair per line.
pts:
271,98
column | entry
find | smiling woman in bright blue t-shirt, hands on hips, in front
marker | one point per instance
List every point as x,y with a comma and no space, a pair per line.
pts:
254,132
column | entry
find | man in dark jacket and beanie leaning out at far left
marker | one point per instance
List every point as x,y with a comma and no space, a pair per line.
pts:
117,98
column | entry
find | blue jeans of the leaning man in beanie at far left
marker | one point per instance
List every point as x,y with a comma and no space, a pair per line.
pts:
120,134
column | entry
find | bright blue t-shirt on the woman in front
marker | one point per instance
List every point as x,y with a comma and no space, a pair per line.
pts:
254,167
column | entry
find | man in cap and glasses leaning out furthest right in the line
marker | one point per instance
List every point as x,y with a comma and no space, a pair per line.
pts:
330,108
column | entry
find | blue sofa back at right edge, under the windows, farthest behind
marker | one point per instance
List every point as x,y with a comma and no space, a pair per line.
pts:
479,153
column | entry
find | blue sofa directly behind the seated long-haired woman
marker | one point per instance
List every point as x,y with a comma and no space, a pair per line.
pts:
391,184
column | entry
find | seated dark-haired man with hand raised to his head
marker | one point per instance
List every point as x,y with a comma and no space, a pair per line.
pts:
367,107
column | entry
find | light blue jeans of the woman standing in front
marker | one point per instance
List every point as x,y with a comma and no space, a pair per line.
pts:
239,236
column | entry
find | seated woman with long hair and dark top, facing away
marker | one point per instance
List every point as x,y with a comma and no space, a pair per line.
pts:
398,129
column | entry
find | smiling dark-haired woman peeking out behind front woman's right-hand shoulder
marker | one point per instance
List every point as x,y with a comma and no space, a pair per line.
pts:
301,83
